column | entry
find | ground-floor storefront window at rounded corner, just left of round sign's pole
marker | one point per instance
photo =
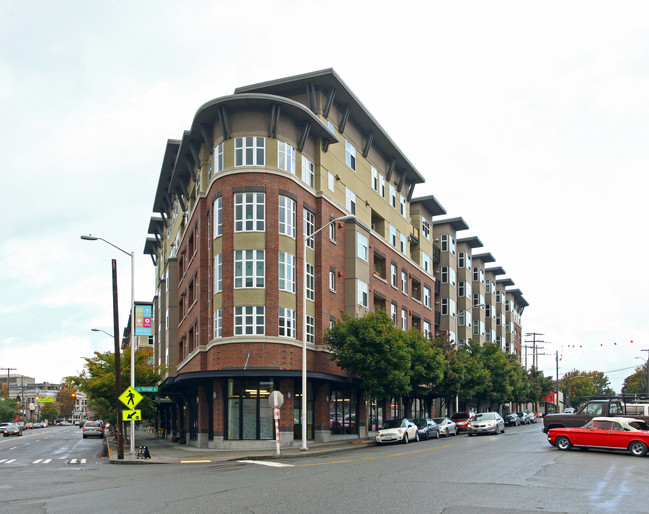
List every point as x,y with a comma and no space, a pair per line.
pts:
249,413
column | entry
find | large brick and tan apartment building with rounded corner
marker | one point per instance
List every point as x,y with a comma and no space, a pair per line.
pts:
285,205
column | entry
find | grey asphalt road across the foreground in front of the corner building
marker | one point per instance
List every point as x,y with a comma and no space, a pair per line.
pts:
513,472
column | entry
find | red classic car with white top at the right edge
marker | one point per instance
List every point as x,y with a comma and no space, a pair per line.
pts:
607,433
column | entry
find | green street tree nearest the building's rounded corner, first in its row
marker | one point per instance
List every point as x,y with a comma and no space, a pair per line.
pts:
373,349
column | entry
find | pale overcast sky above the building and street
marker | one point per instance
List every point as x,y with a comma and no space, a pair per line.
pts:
528,119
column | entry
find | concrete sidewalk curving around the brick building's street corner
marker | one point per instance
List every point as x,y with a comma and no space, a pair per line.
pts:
164,451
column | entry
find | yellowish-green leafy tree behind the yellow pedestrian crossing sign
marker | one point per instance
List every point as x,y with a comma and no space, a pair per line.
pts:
97,380
